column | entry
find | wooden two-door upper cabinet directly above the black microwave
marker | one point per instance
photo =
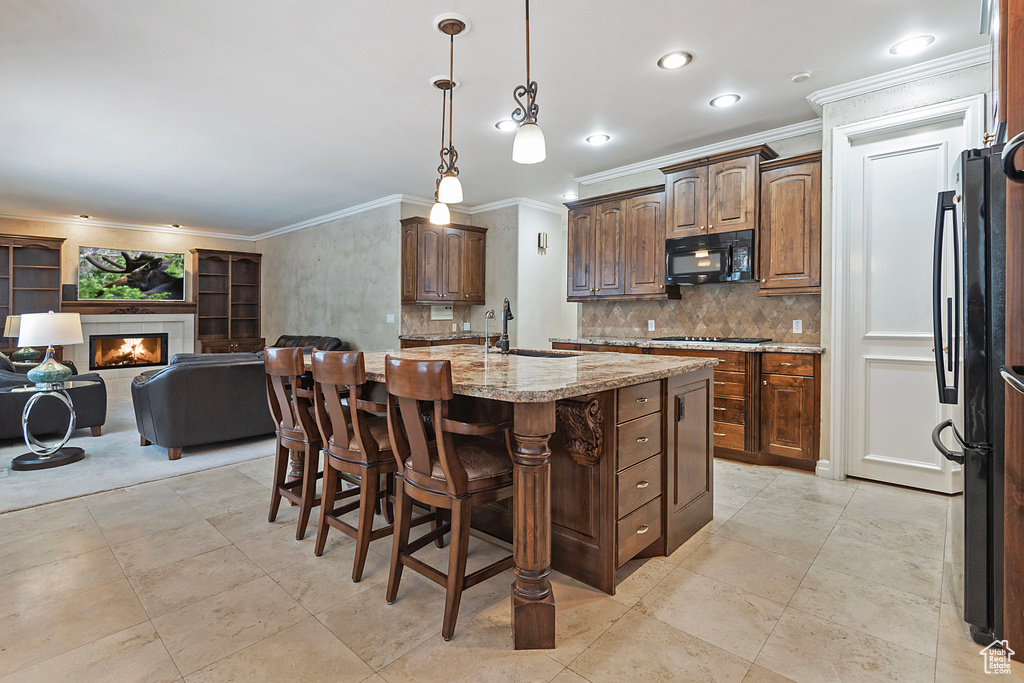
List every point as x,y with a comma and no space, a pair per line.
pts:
717,194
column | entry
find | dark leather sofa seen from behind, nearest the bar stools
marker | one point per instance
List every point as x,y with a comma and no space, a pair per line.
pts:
194,402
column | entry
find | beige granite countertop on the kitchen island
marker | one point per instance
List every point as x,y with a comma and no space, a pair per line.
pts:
533,380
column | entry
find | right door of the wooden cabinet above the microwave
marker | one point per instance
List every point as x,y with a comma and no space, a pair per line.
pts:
733,195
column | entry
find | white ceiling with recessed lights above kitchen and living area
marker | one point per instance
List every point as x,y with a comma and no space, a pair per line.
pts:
245,116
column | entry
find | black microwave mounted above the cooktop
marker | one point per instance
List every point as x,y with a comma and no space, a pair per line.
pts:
724,258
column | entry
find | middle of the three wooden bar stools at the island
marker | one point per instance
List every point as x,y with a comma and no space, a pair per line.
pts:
356,444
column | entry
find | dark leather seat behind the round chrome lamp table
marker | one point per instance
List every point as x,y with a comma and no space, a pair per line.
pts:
49,417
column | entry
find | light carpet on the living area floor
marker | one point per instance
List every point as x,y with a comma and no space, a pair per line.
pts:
112,461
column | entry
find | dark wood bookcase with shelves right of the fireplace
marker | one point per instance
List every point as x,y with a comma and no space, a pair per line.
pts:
227,289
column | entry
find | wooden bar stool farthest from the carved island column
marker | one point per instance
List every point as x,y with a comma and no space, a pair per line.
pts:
291,406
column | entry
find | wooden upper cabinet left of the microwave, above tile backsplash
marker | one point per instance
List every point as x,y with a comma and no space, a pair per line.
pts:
617,247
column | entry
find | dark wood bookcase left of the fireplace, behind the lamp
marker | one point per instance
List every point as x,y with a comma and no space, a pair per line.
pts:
30,279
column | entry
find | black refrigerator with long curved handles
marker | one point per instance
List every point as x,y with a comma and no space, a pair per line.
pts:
970,331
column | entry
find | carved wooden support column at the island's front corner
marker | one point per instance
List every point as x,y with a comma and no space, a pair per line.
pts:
533,601
